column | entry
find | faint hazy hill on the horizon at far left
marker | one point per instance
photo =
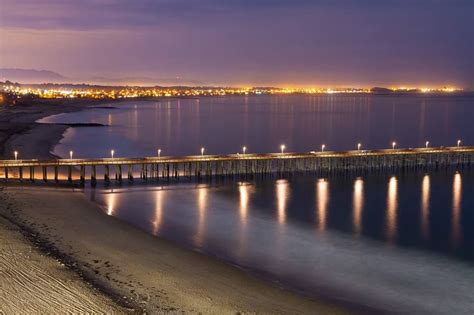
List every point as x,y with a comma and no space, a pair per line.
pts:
31,76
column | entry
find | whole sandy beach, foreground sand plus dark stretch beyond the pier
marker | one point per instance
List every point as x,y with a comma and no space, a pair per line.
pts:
103,263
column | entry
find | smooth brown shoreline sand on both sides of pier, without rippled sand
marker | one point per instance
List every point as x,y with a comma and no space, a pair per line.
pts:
131,266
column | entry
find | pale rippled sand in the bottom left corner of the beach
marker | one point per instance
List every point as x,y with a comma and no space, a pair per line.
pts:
31,280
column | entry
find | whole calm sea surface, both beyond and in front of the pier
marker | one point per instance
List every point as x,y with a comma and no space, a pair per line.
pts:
401,242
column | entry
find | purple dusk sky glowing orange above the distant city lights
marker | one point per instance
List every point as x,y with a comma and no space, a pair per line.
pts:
245,42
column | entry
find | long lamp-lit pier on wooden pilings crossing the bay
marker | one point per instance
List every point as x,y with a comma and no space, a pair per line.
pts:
233,165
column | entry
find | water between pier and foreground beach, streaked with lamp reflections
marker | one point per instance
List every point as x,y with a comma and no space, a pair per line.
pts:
237,222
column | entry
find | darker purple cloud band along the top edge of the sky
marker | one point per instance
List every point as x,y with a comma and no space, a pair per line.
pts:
133,14
